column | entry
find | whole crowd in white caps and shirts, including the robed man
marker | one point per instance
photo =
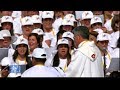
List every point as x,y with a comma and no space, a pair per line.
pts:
60,43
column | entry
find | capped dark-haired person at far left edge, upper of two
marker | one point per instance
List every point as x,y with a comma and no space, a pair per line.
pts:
7,23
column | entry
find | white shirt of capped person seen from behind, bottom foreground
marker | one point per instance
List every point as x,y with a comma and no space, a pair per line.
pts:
41,71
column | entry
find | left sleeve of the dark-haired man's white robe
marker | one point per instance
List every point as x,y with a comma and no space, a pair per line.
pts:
76,66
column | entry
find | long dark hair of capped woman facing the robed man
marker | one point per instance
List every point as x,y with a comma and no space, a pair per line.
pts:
56,60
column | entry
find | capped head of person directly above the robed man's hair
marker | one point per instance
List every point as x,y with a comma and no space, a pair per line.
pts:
86,17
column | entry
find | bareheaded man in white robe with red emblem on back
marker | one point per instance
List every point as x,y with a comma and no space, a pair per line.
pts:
86,61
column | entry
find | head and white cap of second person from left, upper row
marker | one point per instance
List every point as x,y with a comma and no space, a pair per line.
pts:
27,26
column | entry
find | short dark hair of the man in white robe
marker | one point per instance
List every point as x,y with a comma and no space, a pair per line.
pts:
82,31
